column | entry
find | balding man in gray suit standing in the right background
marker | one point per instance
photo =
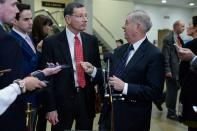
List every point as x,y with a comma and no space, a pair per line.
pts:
172,66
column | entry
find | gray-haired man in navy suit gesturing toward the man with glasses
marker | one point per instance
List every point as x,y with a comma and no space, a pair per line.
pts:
137,73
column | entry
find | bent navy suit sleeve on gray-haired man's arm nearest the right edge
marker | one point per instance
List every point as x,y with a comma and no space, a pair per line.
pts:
152,87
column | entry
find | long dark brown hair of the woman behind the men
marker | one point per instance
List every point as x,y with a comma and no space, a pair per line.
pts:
37,29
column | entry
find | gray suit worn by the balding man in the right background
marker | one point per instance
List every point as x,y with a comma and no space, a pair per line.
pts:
171,66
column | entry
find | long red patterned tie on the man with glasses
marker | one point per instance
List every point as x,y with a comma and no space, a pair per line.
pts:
78,59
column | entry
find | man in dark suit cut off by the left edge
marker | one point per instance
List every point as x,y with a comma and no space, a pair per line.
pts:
10,58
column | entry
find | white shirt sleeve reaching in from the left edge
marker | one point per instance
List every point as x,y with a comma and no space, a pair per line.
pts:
7,96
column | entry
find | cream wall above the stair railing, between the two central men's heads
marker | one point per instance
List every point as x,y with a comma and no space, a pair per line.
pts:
112,15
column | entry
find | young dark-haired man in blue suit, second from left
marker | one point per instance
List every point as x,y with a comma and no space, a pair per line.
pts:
22,26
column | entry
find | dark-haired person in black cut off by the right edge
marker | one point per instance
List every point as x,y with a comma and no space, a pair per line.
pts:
188,77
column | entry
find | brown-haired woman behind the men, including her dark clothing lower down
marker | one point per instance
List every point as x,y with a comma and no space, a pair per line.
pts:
42,27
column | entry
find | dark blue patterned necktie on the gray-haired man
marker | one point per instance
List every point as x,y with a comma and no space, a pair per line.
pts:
121,66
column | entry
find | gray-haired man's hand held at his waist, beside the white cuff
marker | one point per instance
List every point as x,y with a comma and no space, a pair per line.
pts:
117,83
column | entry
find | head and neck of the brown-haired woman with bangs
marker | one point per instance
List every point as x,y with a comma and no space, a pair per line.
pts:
42,27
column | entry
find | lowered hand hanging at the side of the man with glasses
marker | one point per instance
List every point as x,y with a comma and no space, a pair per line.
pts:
52,117
